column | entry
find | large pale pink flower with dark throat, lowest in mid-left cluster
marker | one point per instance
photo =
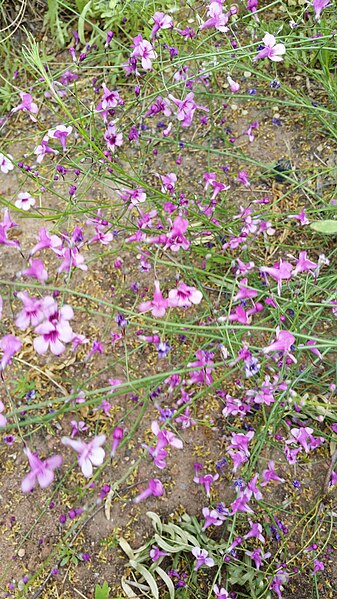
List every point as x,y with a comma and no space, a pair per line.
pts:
54,332
